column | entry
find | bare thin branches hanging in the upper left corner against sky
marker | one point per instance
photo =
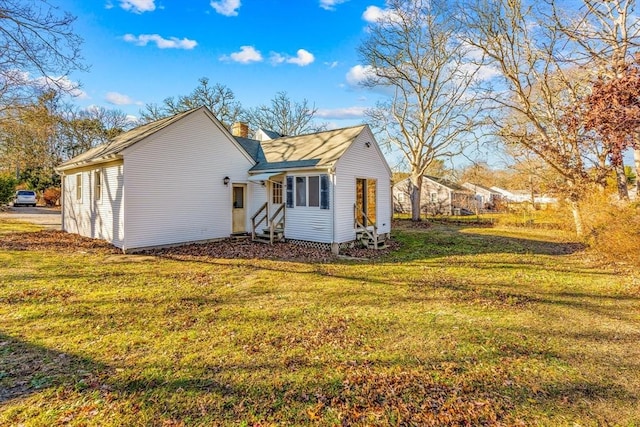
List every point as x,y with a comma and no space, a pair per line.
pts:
38,50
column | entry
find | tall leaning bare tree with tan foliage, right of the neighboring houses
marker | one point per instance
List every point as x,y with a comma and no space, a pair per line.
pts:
537,93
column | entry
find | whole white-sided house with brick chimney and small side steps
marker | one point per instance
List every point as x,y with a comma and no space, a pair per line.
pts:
186,178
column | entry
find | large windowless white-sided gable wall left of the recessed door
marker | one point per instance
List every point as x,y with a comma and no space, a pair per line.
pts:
174,184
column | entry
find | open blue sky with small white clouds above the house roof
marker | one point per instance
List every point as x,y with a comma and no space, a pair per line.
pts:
142,51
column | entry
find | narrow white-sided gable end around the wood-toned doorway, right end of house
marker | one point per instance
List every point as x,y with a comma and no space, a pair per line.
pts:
360,161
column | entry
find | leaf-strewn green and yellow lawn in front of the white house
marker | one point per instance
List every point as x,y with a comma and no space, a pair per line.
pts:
459,326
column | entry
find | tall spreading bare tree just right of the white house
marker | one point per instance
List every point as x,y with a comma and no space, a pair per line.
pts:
414,51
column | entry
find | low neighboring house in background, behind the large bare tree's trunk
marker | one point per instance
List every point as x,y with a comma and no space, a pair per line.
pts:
439,196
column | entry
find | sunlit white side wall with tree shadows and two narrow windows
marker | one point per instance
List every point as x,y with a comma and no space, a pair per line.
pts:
98,219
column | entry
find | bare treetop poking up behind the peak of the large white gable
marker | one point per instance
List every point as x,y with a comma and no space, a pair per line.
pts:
218,98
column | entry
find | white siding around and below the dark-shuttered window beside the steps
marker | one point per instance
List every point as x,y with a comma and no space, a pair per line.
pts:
309,223
